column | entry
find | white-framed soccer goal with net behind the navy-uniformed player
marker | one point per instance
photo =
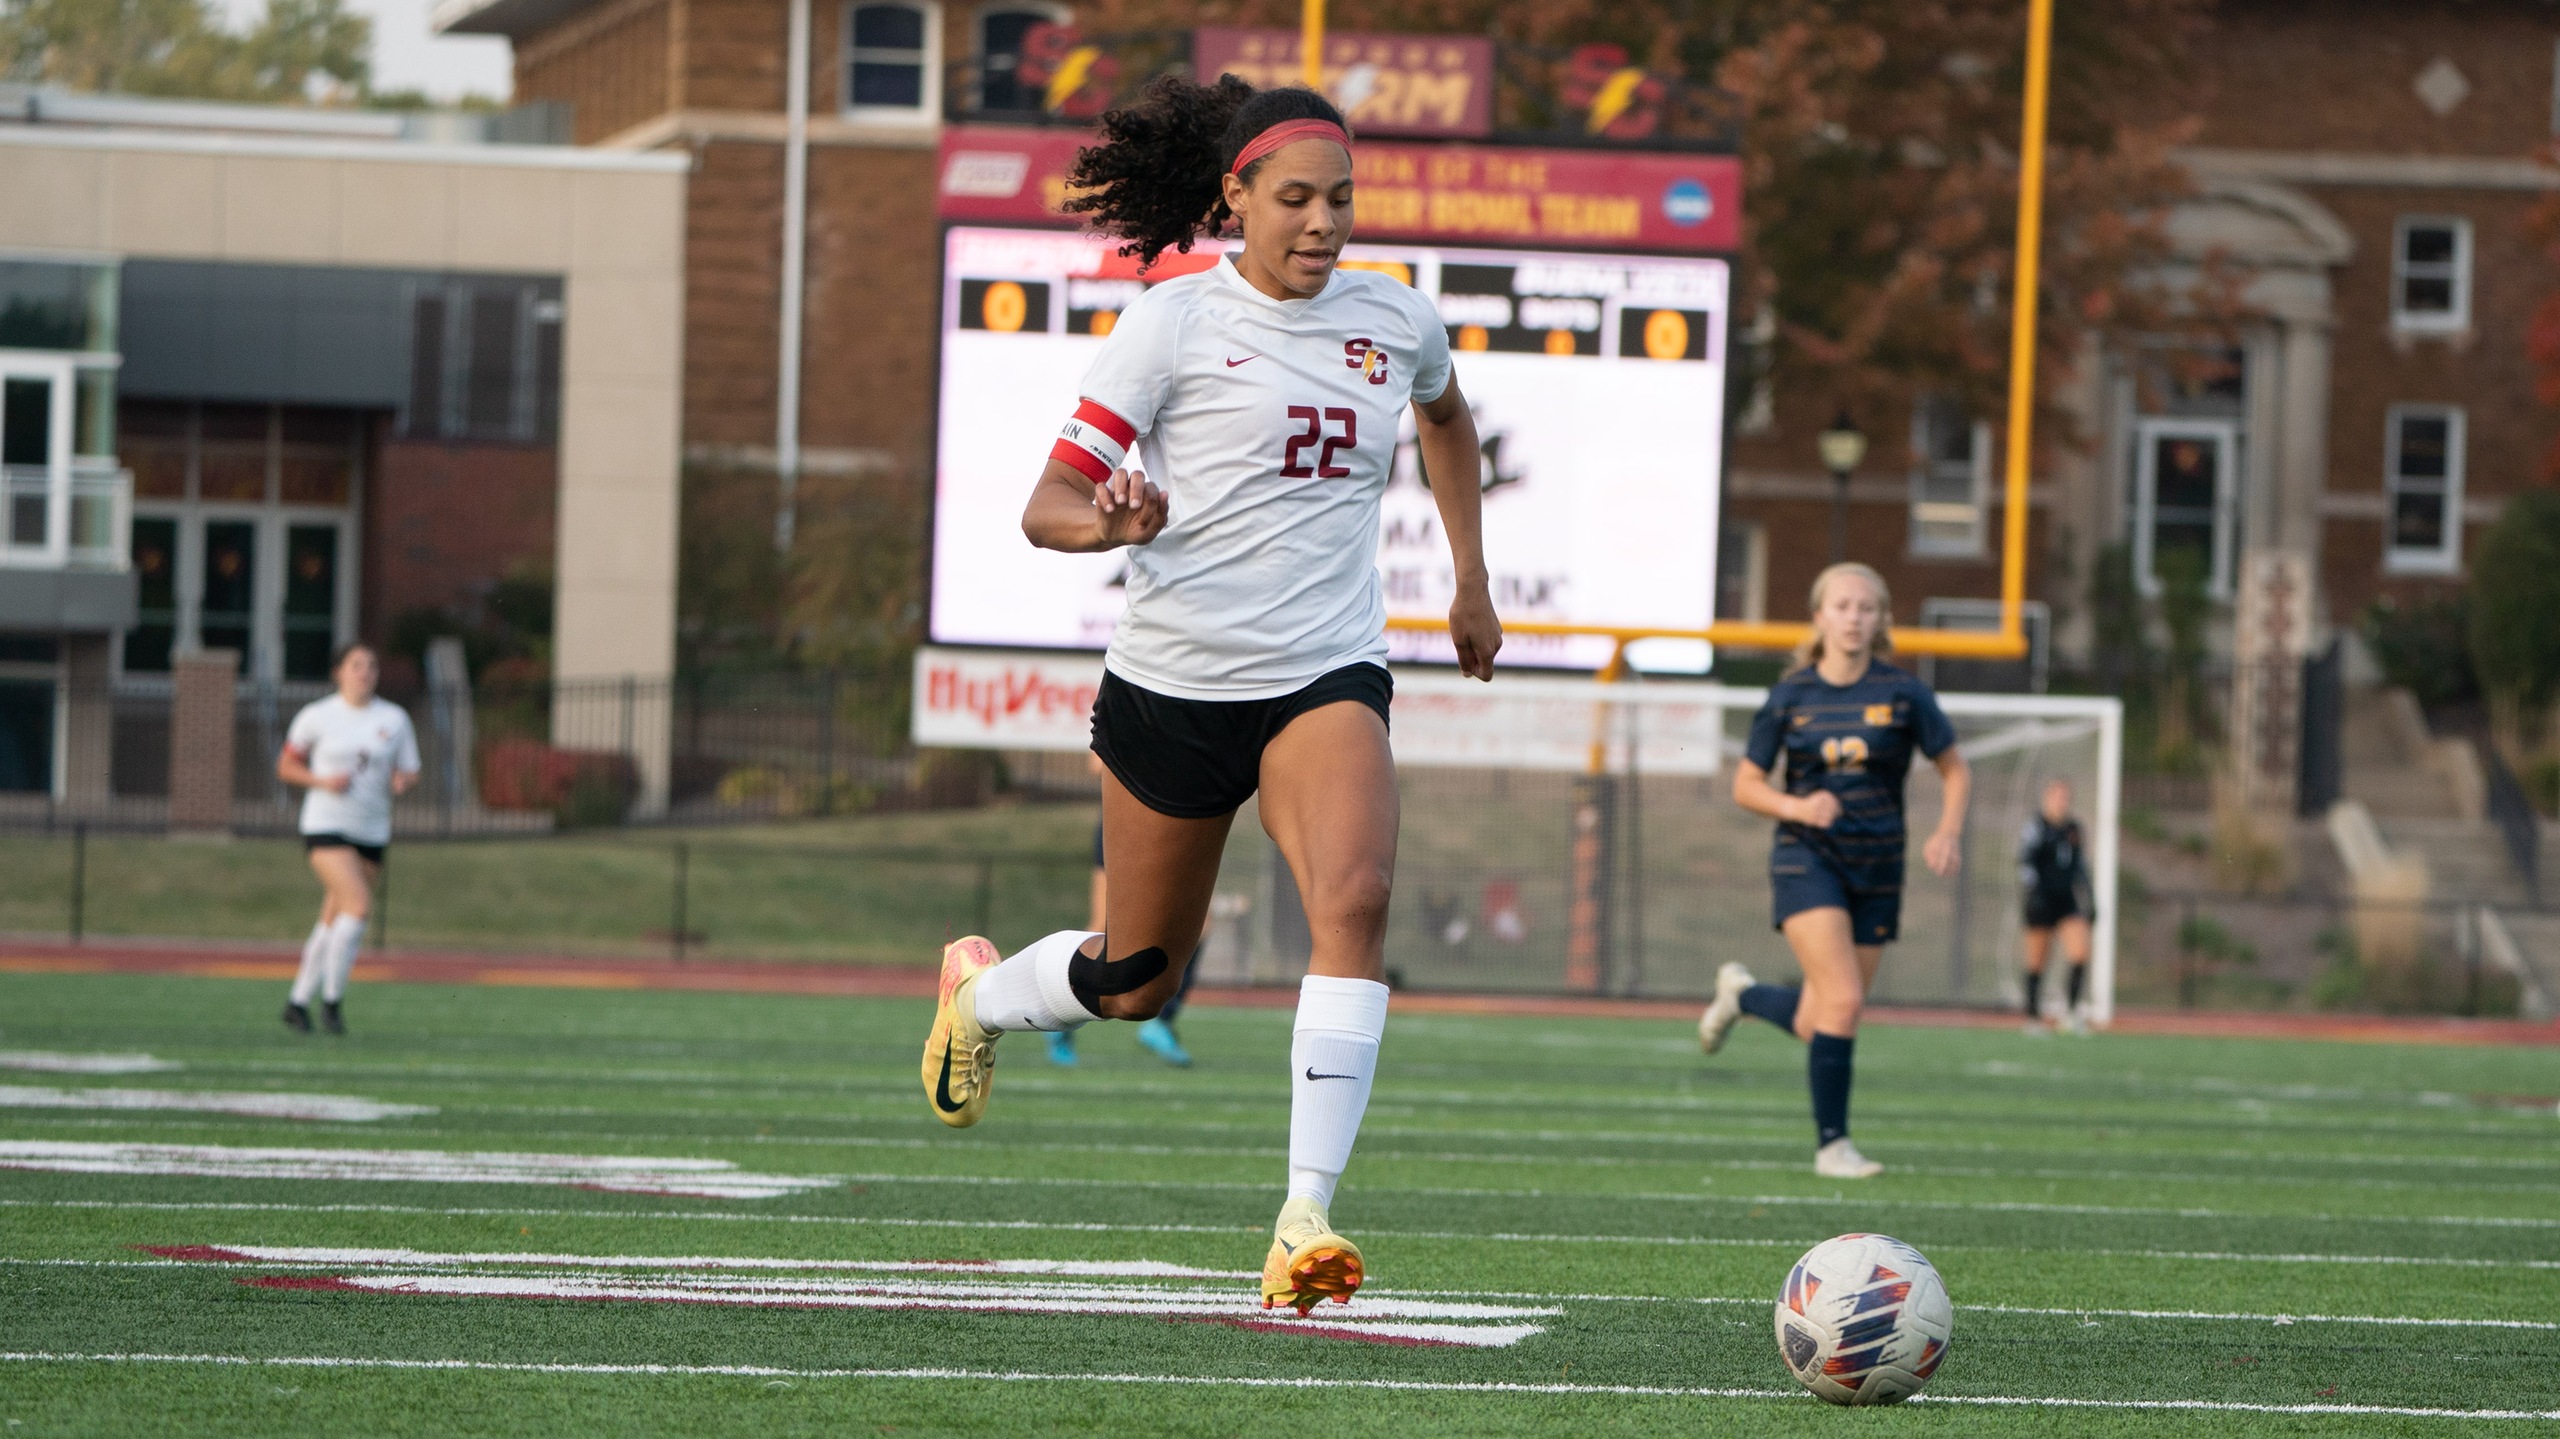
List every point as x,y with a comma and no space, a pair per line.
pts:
1565,836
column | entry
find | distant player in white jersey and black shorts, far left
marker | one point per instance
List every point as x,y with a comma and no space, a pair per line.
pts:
349,754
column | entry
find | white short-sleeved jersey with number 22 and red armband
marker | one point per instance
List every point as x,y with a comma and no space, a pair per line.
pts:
1271,426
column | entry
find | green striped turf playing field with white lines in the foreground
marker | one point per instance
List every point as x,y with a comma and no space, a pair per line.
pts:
1594,1169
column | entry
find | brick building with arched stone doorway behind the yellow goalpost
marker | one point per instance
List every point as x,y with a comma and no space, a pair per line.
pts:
2372,170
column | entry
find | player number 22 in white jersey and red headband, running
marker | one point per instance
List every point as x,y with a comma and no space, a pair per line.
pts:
1266,396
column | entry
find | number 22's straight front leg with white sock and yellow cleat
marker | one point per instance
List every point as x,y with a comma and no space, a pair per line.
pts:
1330,803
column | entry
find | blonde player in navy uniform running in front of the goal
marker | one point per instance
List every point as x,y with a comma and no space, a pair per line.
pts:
1847,723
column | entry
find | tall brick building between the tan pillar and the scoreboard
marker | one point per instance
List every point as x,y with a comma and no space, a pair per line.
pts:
710,78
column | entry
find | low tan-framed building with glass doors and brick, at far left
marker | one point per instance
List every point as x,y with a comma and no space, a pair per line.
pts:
278,378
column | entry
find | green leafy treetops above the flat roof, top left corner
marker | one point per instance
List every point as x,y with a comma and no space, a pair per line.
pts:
301,50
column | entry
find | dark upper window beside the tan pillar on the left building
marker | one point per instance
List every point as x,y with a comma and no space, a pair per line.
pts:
485,362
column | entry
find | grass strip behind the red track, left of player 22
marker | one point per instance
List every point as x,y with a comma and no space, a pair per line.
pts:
864,890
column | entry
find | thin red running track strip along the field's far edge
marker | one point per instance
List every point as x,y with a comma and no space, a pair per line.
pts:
915,982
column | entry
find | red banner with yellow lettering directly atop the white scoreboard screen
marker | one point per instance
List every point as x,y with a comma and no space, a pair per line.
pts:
1484,196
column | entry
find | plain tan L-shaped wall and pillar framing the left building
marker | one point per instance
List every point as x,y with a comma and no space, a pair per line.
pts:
608,224
